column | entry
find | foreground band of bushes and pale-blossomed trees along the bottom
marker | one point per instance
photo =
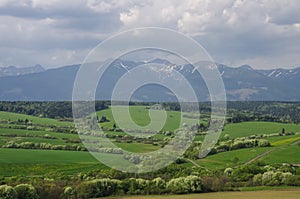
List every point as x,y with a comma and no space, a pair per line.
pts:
180,180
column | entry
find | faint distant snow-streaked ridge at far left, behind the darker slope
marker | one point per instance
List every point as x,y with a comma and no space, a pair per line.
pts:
16,71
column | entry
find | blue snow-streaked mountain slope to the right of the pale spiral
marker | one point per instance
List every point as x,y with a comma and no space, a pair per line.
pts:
245,83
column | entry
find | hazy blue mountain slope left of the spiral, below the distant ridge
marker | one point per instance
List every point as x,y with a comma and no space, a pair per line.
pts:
52,84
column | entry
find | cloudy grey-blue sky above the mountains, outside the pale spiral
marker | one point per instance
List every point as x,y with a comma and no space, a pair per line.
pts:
264,34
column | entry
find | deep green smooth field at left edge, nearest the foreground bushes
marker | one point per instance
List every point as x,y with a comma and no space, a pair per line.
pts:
26,162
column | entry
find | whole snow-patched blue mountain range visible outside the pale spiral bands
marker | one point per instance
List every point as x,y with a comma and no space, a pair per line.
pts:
242,83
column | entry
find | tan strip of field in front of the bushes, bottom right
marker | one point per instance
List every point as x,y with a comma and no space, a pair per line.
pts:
267,194
